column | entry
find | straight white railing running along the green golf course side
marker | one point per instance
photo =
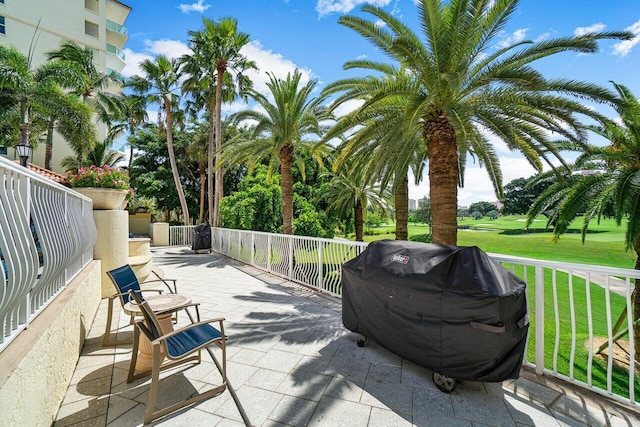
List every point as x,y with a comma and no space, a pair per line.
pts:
579,313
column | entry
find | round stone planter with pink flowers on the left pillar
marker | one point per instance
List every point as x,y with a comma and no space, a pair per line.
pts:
106,186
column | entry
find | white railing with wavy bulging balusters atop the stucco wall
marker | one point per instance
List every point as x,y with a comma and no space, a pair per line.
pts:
47,234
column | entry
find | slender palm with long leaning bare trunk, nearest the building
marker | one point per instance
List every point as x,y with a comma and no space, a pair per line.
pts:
161,81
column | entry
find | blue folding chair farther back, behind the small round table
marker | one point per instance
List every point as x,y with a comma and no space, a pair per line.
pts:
125,280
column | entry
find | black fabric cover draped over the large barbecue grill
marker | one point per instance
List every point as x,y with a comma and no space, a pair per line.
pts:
450,309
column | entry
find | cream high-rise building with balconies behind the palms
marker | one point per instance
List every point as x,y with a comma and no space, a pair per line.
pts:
42,25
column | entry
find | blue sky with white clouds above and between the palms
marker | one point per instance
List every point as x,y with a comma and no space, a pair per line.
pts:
305,34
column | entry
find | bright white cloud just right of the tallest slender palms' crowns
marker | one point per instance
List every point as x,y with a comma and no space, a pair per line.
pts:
275,63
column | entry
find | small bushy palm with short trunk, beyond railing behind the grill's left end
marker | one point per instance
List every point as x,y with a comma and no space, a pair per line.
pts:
350,192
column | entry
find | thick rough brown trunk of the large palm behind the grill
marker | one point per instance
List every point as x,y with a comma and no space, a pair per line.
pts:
443,179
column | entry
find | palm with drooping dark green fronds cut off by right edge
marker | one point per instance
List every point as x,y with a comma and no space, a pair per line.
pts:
603,177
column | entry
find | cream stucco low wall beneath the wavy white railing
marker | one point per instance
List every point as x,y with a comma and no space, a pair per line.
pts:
36,368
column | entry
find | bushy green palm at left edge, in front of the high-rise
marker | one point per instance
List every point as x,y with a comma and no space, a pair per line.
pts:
36,94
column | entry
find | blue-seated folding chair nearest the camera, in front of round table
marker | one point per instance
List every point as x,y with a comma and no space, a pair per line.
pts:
180,346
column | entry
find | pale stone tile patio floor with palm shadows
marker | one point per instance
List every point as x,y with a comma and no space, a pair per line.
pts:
292,363
